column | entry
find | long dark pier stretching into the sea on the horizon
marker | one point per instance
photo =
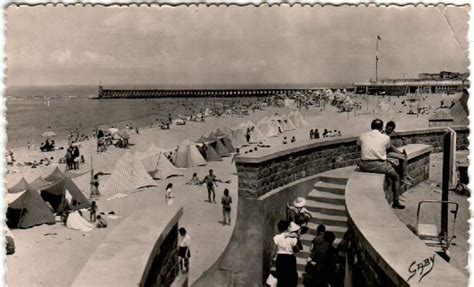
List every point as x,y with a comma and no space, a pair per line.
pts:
196,93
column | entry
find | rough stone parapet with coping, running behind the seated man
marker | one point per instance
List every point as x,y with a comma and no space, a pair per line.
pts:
266,170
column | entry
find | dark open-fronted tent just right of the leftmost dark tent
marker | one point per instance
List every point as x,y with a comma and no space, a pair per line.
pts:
64,194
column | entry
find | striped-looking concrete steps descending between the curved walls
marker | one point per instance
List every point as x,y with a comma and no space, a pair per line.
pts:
326,203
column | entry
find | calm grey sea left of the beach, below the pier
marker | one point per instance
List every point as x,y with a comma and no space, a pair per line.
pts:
62,109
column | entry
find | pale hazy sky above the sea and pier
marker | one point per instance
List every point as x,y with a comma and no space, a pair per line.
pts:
229,46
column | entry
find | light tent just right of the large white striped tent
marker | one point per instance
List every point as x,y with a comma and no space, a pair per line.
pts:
158,165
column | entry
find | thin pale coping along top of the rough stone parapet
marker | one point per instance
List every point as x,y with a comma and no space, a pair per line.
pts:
265,154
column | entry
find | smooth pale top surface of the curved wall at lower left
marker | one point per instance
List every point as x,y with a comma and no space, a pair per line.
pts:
130,249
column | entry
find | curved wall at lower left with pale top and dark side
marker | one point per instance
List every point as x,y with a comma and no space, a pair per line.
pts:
141,251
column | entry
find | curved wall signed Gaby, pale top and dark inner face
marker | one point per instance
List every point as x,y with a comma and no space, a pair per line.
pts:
388,253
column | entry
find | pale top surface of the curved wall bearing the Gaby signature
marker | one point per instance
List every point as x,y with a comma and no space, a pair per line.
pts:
391,244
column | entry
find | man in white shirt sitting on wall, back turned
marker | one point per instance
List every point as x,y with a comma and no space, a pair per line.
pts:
374,146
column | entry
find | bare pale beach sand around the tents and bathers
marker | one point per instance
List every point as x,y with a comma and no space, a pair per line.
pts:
55,260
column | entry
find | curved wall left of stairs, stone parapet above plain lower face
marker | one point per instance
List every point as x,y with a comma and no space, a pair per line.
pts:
287,170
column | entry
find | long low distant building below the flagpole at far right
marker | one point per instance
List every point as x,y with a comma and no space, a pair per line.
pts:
427,83
